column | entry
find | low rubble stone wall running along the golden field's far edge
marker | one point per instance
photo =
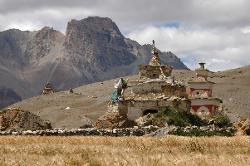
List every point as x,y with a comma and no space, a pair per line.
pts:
136,131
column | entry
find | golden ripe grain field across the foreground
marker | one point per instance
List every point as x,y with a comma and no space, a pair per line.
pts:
170,150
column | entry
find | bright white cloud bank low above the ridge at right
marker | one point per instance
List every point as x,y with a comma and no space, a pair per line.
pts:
219,48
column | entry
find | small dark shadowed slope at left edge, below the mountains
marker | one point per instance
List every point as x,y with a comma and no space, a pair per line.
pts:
8,96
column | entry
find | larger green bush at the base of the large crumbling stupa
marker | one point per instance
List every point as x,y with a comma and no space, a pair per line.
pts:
174,116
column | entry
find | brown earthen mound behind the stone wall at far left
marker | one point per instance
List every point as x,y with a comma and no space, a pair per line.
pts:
19,120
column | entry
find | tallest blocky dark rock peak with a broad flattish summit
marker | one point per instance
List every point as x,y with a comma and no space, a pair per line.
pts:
98,42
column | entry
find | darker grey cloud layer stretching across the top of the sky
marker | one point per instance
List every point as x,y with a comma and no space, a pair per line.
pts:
132,14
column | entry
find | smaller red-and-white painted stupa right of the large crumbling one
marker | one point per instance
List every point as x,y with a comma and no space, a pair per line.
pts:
200,93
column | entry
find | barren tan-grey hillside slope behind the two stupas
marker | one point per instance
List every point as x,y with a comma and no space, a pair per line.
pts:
90,100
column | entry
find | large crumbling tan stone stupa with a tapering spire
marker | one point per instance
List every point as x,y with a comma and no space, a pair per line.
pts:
154,90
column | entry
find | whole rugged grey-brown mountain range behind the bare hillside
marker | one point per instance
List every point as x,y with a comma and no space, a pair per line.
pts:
93,49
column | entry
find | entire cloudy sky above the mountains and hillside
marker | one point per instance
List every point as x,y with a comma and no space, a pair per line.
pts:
216,32
